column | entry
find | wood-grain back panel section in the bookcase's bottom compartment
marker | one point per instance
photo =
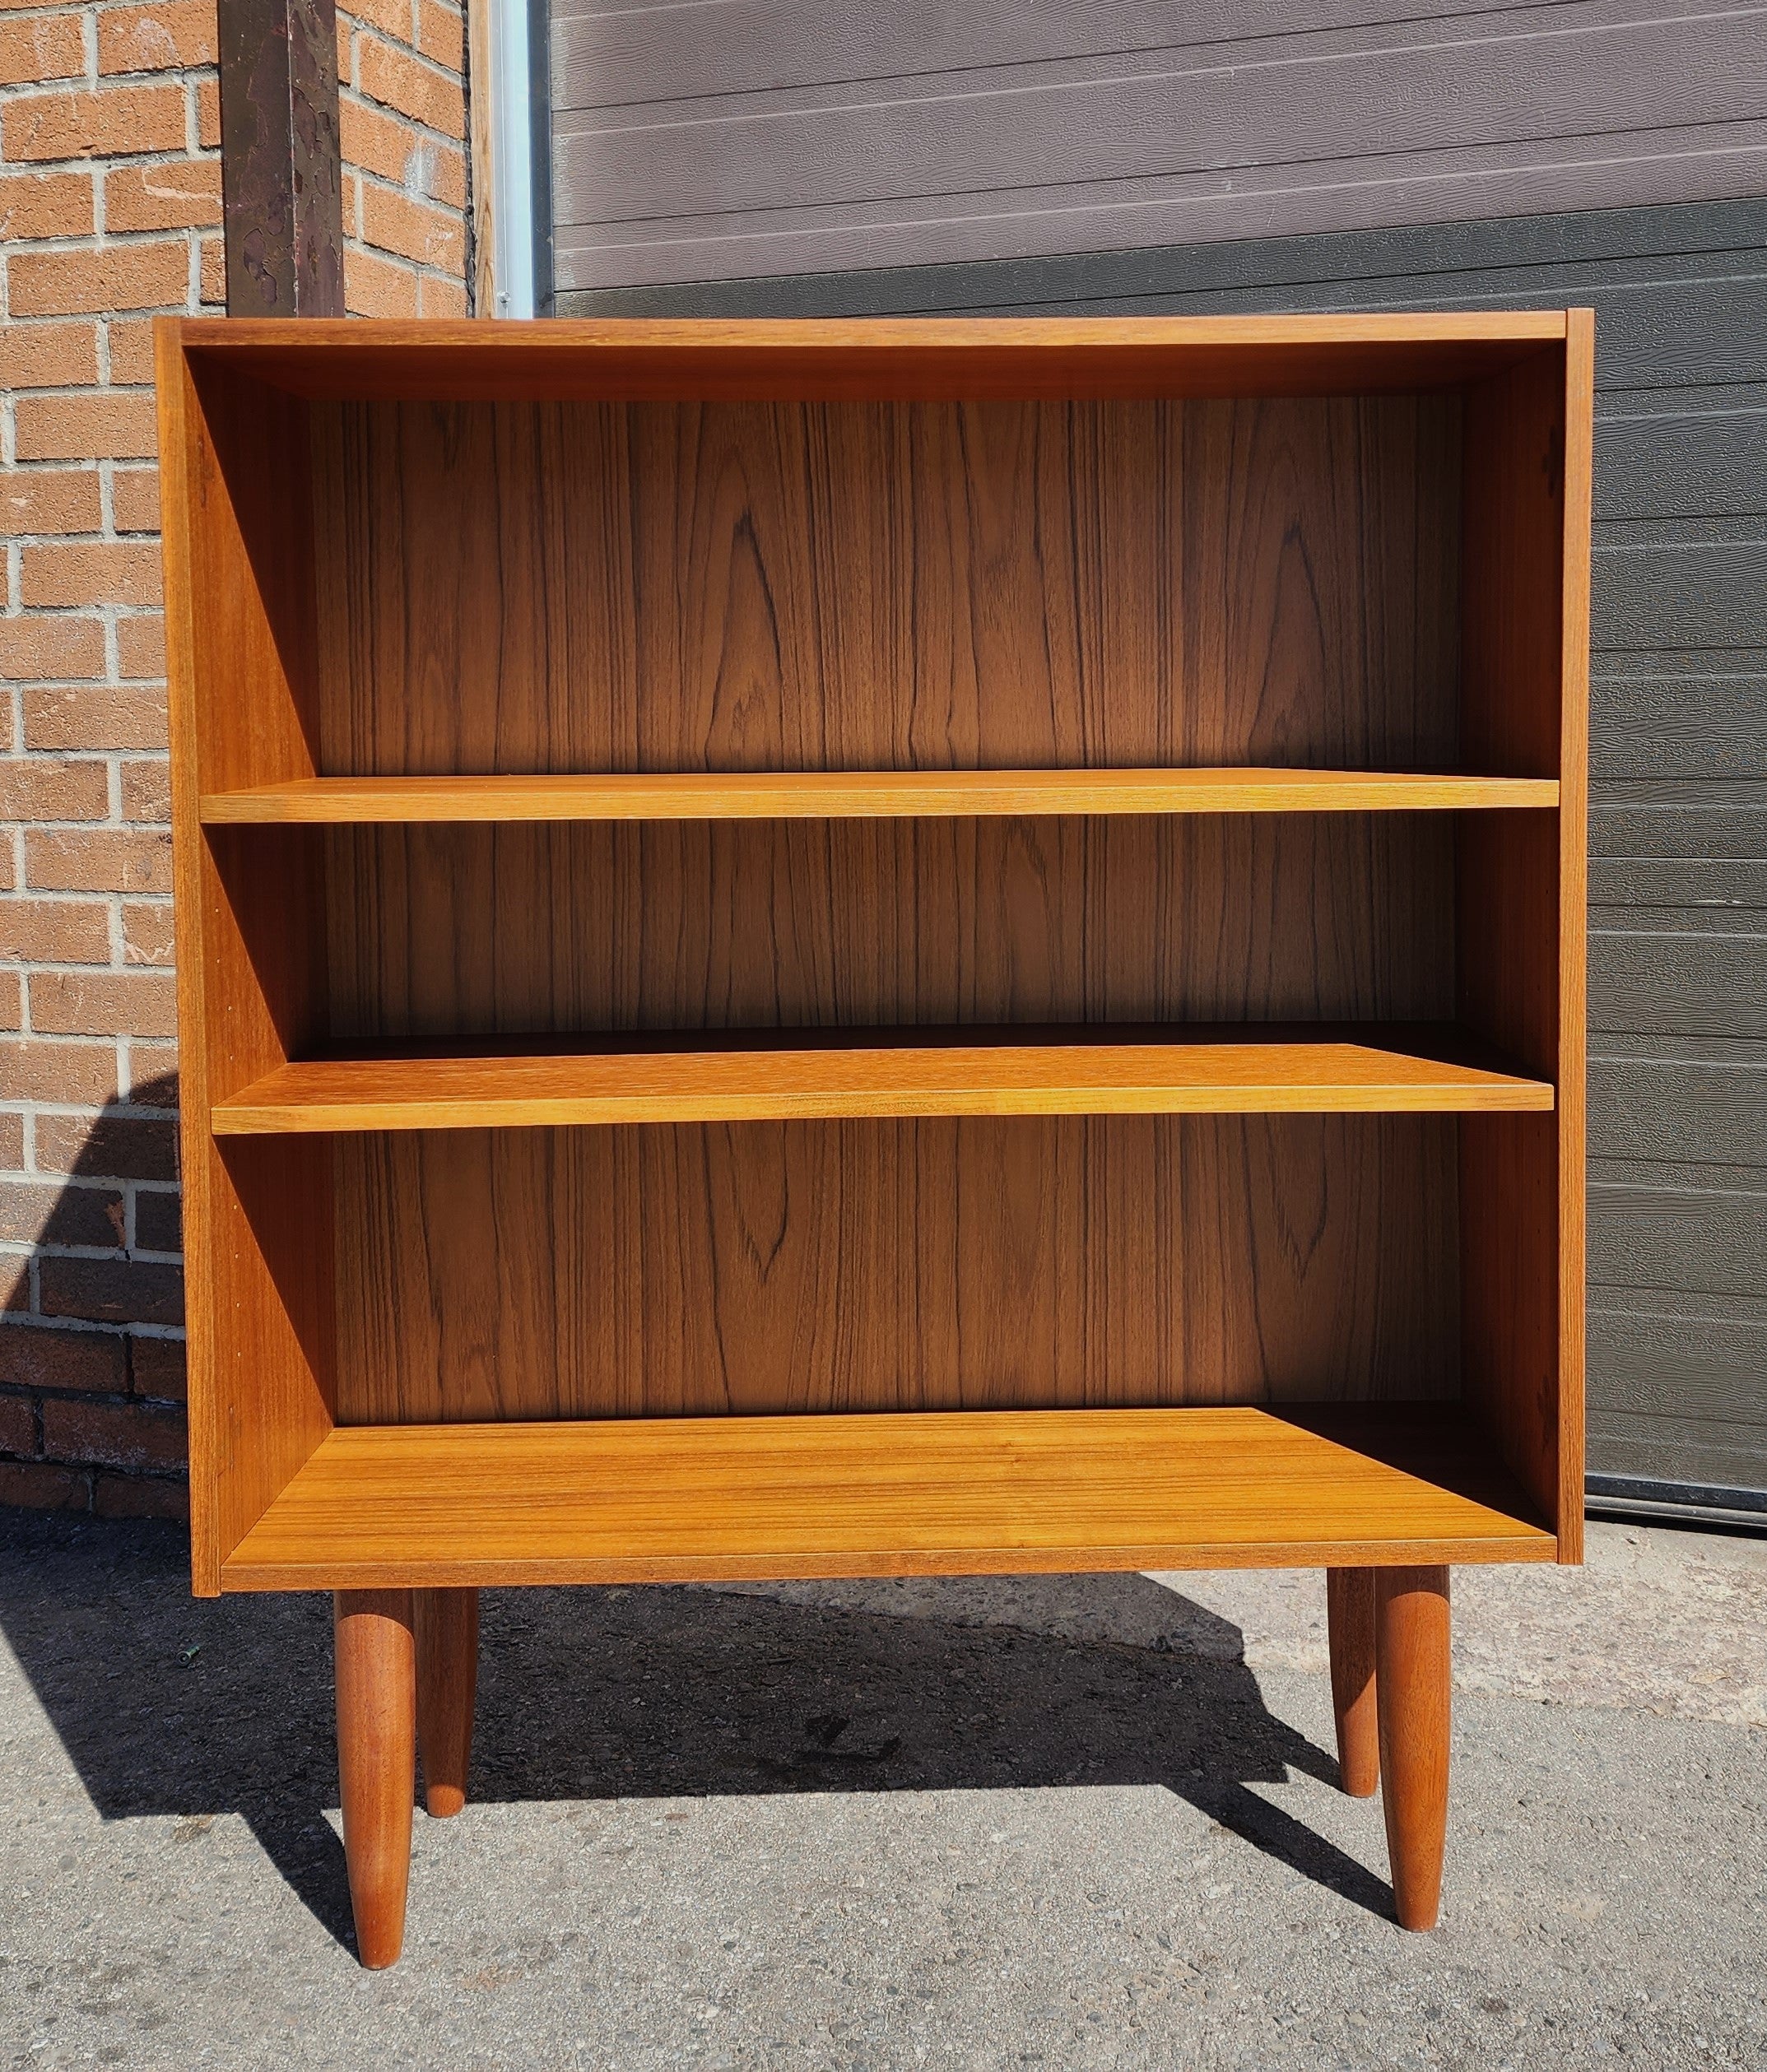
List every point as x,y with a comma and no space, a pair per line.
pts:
937,1265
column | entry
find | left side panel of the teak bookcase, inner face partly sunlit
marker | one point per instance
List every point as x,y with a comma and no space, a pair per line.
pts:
252,913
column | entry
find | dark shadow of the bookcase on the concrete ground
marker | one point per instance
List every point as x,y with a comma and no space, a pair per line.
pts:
173,1706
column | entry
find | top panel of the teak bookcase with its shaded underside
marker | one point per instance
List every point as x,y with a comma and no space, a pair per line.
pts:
753,359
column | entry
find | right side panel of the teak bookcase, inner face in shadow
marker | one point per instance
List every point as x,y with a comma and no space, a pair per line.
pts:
1522,1360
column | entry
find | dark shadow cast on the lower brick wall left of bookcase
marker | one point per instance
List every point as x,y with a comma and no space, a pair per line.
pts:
92,1352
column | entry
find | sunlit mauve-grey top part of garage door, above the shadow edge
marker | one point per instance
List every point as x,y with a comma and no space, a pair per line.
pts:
1584,105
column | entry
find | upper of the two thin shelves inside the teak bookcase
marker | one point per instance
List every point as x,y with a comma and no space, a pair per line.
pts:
865,795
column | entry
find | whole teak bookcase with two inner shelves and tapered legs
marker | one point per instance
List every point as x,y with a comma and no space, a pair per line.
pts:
879,950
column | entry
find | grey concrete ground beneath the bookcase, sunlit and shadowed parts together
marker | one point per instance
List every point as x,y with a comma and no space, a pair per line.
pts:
1082,1822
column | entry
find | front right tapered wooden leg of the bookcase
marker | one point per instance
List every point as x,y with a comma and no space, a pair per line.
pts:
1412,1690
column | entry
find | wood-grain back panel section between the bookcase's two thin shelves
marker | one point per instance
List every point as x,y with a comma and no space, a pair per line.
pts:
442,931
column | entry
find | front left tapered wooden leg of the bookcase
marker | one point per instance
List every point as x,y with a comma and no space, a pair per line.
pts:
376,1760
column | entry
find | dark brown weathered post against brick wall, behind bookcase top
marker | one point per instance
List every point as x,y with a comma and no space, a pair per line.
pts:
281,181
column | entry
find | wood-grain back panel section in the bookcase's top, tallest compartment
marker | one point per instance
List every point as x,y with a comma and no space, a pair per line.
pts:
888,585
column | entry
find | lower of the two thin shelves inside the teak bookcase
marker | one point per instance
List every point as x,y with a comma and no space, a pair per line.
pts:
881,1074
